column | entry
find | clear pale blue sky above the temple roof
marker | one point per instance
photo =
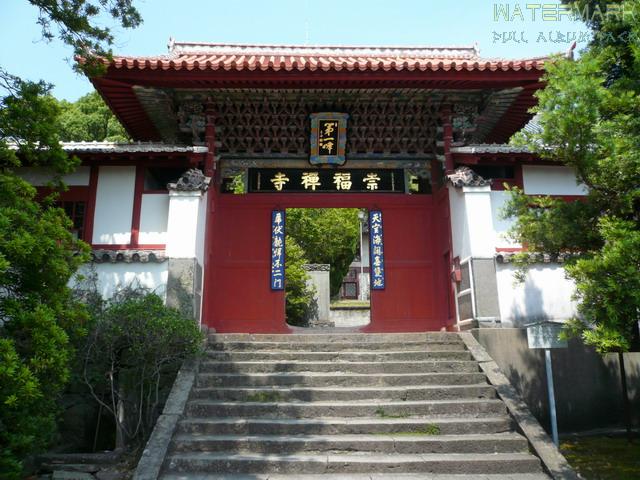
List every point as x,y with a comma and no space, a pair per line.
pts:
501,29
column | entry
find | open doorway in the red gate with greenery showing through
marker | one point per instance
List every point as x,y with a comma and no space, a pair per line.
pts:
327,267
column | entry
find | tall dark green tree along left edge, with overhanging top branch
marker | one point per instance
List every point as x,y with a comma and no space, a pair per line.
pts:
38,318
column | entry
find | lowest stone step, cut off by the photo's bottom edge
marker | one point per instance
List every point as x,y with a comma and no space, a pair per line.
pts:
355,476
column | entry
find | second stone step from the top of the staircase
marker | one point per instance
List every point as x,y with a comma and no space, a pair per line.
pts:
349,356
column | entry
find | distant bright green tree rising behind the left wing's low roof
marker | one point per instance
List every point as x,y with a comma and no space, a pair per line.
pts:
89,119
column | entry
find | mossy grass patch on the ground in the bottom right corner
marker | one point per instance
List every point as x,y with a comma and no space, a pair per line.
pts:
603,457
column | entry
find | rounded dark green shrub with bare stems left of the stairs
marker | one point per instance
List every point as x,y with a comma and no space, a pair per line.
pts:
134,348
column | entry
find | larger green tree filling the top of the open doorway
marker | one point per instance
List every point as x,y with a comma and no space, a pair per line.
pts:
327,235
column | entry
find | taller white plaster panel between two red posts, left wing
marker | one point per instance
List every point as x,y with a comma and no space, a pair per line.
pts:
114,205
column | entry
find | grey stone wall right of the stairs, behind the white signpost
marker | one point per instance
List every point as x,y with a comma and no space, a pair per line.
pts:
587,385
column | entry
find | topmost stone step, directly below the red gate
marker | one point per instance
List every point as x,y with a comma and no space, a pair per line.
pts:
442,337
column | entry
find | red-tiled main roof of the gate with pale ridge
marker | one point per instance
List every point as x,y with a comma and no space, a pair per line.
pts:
212,56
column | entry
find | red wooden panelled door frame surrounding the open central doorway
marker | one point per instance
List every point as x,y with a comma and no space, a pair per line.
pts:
236,294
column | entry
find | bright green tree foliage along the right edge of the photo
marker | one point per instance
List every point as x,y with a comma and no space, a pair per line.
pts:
590,118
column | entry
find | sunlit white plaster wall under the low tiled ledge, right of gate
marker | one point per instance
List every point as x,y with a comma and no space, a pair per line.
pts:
546,294
